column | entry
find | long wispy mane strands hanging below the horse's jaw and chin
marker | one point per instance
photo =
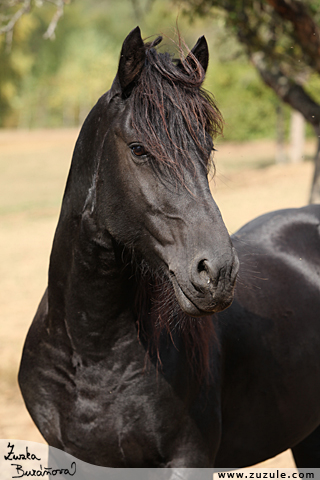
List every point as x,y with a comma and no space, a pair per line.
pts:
161,322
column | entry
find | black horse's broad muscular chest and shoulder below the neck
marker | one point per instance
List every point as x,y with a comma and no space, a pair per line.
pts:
118,412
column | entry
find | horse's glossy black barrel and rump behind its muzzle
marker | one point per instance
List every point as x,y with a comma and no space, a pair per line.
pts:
270,339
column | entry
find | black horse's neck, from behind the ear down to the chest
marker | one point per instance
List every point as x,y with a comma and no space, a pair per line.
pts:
89,290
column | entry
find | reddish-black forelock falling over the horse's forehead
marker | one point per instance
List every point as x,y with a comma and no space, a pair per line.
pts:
172,114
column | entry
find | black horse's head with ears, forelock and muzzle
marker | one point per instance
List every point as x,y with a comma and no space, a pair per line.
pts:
149,189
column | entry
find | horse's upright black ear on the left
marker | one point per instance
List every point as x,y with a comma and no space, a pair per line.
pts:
132,58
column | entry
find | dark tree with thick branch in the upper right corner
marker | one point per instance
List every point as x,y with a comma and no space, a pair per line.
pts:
282,40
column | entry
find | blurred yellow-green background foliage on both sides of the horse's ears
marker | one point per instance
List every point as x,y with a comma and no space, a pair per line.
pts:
55,83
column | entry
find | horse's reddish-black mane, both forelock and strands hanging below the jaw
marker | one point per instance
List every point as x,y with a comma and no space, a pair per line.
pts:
175,119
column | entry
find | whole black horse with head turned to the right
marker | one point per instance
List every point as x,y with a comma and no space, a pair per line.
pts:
128,362
